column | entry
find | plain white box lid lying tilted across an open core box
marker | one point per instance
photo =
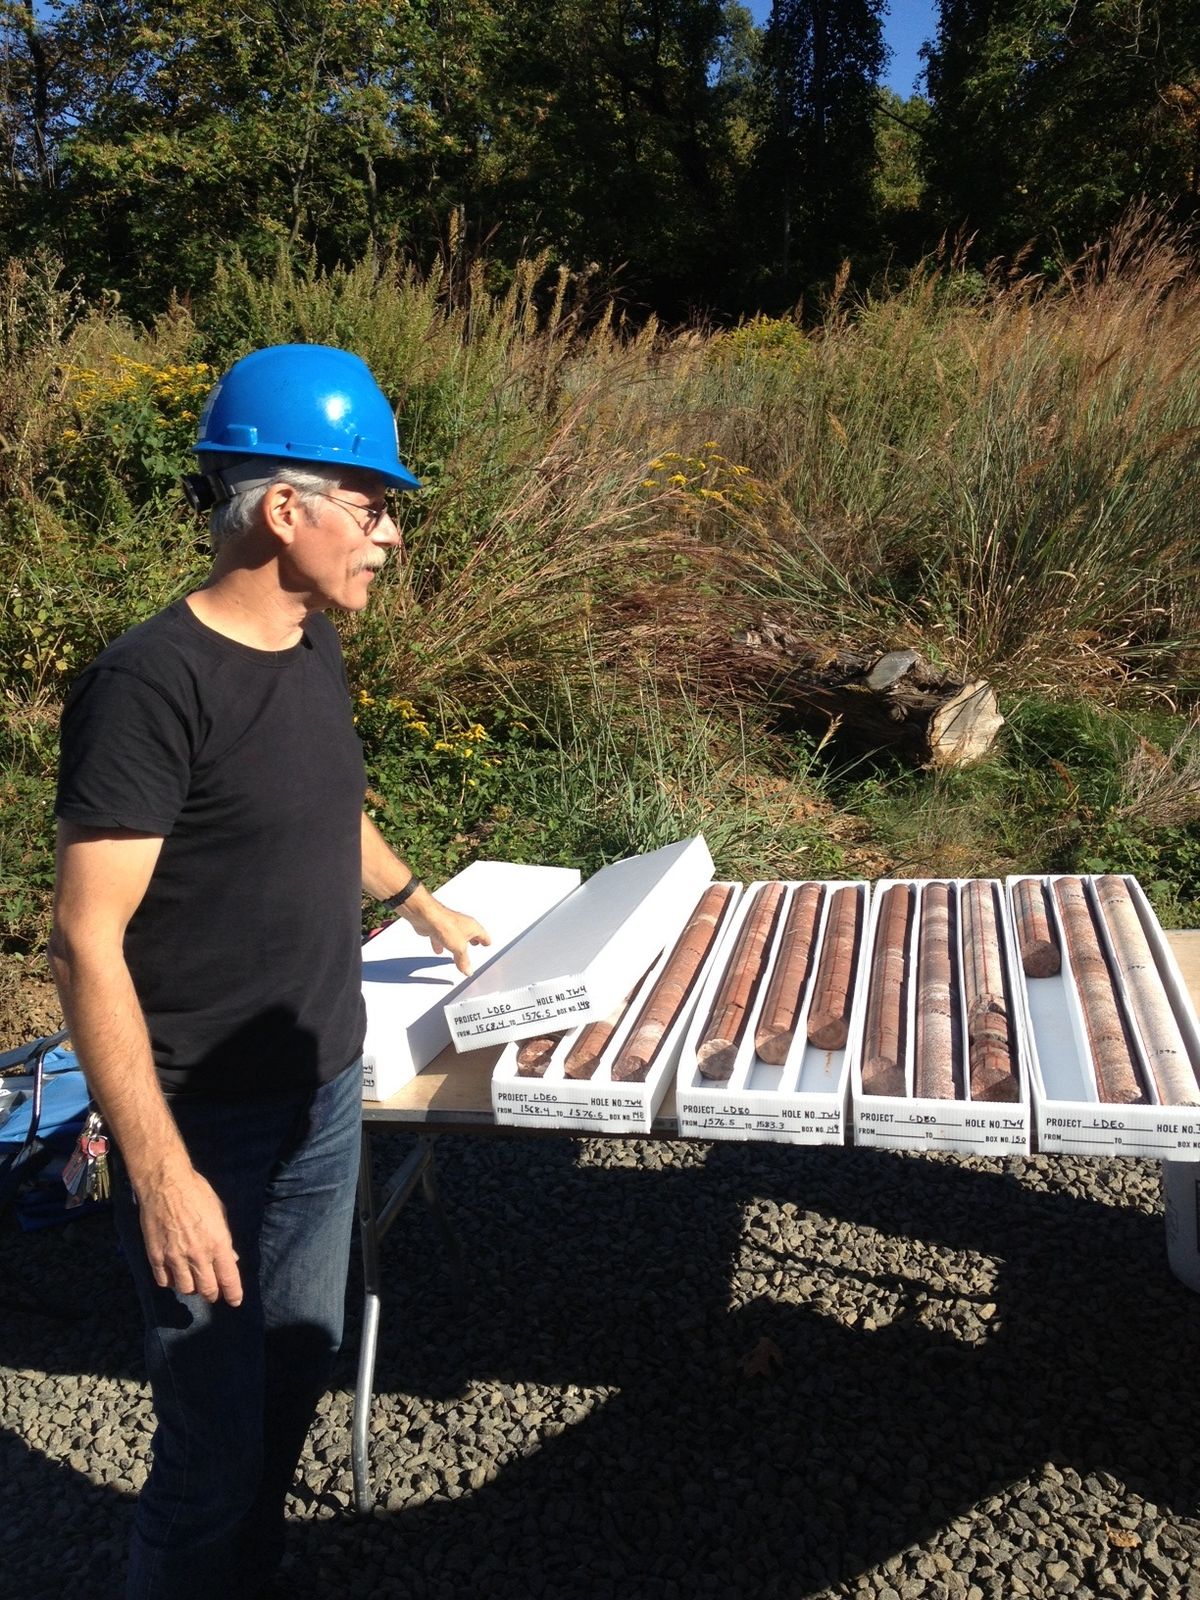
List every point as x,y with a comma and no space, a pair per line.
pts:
585,958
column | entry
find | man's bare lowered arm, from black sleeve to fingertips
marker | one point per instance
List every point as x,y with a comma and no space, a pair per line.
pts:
102,881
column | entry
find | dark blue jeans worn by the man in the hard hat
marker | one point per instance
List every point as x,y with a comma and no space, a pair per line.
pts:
236,1388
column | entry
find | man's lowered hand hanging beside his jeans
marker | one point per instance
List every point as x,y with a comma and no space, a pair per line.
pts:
188,1238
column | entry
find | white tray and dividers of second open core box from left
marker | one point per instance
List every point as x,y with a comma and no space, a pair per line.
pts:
804,1102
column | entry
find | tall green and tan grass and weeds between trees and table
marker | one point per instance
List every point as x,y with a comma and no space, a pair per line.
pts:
1002,481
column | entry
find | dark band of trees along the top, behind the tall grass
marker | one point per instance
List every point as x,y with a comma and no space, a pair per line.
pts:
706,164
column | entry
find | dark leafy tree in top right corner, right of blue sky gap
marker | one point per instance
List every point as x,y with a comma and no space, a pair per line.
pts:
1052,116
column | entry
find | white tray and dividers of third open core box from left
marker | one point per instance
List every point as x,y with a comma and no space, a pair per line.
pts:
911,1122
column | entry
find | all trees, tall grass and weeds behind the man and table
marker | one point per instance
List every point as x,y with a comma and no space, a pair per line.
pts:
892,410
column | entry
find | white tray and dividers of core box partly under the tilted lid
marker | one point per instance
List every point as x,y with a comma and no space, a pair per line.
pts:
599,1105
